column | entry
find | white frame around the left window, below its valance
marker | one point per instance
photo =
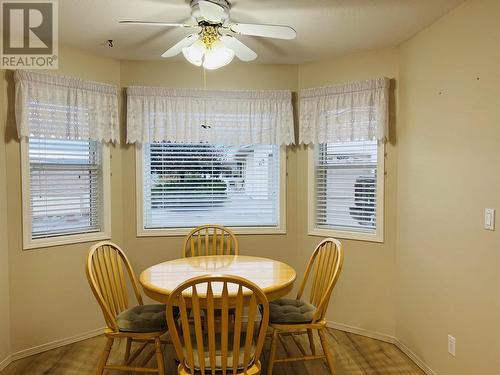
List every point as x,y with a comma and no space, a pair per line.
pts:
104,234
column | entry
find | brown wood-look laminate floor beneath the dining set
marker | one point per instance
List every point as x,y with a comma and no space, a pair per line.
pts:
353,354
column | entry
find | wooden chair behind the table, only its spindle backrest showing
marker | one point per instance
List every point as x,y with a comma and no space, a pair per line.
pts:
210,240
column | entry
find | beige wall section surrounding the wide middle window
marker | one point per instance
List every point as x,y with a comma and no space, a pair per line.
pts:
147,251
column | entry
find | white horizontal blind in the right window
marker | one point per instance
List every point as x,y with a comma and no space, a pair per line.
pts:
346,186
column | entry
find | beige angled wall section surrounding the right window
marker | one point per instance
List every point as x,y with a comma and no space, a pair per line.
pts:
365,294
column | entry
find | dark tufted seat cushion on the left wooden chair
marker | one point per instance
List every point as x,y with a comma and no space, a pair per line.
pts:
143,318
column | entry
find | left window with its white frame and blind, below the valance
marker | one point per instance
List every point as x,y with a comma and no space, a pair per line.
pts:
64,191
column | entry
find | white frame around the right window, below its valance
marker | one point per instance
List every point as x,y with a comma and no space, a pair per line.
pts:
313,230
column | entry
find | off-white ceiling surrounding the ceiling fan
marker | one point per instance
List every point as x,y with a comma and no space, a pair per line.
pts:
324,27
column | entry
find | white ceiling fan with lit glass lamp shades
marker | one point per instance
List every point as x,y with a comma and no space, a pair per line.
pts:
213,43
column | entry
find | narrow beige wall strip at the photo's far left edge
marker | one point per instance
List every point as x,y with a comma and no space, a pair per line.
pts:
4,251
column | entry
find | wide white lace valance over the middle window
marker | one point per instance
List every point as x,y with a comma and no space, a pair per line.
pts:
211,116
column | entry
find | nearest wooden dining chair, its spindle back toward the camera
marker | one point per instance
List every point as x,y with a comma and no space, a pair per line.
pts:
204,347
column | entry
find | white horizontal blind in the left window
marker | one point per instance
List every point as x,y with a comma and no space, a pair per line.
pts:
65,187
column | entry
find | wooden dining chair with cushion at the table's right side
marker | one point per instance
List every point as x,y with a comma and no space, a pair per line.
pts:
291,315
